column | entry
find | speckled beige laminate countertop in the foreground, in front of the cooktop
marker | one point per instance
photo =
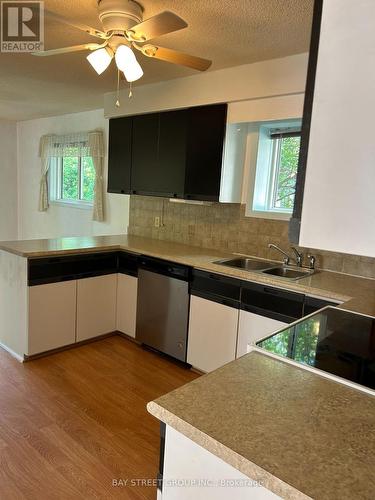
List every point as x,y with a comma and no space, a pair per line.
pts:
298,433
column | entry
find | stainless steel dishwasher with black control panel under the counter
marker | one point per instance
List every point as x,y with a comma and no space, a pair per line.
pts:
163,306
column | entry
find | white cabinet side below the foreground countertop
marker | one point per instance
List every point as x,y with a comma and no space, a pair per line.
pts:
190,472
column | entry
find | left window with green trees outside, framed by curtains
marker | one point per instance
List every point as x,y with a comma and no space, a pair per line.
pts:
73,180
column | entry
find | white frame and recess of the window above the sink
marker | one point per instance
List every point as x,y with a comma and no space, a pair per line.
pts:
265,155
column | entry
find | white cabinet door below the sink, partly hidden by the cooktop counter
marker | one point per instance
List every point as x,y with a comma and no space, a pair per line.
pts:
253,327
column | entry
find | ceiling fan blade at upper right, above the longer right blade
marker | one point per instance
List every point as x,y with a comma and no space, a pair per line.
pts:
163,23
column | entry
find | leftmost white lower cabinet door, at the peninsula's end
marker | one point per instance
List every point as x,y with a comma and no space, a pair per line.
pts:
52,316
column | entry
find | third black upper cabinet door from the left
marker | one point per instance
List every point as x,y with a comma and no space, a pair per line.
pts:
172,151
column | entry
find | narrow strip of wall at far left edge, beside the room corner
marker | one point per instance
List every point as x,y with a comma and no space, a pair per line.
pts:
8,180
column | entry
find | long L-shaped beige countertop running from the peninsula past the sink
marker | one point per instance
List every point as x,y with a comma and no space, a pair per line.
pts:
357,294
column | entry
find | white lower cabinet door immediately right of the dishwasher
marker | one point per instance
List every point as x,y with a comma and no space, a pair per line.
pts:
212,334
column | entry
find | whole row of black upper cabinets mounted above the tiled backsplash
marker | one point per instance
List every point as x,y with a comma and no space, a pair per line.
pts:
175,154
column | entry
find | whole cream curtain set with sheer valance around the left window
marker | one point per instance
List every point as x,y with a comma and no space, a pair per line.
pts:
79,144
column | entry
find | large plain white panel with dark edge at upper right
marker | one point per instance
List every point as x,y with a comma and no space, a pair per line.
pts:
338,208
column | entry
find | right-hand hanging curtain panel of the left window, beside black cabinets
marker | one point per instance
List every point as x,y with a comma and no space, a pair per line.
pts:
96,148
